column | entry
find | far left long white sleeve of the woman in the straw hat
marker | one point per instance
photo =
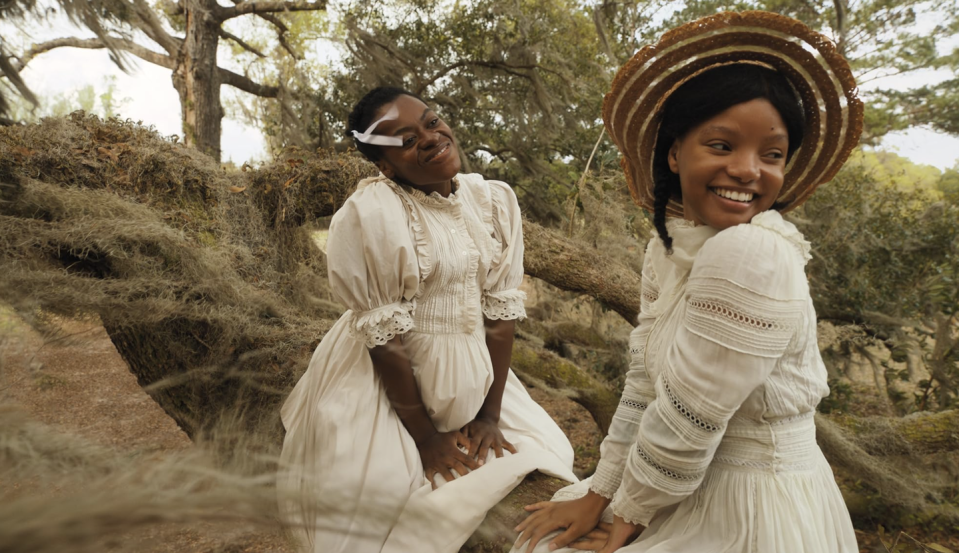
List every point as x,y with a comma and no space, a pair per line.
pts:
638,391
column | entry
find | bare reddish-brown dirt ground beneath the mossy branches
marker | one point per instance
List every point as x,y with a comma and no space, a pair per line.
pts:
80,385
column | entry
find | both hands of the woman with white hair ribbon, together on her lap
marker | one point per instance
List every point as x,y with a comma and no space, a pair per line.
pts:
443,452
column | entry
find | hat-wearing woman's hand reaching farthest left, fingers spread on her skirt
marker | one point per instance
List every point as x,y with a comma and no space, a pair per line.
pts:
579,517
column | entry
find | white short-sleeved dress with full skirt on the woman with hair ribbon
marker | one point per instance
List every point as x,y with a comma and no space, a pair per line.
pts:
429,268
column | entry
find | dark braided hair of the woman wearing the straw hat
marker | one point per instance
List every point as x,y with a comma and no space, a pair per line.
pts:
707,95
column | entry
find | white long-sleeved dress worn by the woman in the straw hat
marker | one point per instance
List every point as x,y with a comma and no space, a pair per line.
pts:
713,445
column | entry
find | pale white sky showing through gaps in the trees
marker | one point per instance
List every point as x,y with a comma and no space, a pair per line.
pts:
150,98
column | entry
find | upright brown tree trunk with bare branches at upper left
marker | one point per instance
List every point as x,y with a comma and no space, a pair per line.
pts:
196,79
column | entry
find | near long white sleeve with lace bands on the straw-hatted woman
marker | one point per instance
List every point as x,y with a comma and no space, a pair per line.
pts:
744,303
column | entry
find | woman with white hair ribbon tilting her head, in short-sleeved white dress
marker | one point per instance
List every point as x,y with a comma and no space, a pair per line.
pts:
409,425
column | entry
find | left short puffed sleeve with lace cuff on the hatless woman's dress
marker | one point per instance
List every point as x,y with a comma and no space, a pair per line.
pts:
372,264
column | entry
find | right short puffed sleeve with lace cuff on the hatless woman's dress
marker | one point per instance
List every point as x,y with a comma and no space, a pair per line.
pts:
502,298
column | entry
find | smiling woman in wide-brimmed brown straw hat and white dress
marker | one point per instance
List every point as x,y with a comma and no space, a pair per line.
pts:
724,124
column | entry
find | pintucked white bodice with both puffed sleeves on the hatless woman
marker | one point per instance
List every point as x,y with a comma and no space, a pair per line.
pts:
404,261
